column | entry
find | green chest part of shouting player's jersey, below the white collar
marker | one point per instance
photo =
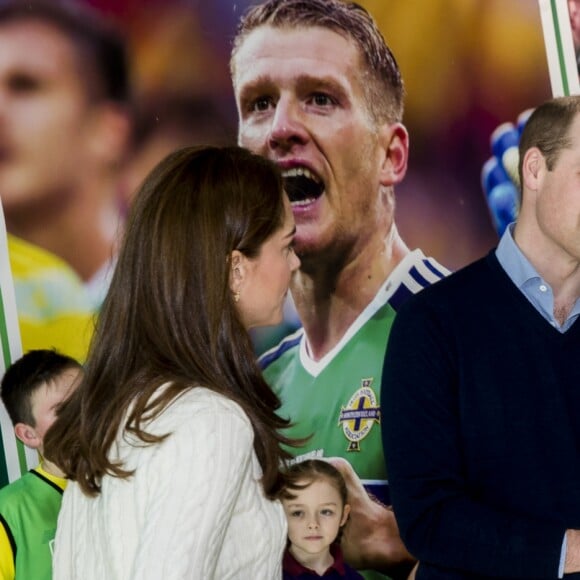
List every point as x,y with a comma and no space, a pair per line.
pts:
339,406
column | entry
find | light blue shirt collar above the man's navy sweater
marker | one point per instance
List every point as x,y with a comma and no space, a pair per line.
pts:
527,279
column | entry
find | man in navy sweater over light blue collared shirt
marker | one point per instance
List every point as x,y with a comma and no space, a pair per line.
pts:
481,387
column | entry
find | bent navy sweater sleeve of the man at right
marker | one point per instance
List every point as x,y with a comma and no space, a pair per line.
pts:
440,518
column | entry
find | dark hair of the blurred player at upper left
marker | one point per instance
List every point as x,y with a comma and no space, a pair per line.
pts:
99,46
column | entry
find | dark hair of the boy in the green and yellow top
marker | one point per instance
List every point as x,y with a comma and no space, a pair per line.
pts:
26,375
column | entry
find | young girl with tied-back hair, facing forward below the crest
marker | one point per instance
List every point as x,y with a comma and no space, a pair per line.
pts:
315,502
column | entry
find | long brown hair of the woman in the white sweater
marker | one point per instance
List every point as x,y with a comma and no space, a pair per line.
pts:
169,314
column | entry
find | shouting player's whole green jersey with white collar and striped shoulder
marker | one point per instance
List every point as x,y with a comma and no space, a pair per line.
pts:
336,400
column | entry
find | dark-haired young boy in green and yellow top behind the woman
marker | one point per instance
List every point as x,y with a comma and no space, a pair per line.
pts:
32,390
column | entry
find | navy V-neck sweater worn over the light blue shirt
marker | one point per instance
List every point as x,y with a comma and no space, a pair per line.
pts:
481,429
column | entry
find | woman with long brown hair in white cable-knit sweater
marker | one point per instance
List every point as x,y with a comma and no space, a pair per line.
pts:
172,442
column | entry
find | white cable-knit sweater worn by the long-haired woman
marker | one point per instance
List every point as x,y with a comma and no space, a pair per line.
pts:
194,509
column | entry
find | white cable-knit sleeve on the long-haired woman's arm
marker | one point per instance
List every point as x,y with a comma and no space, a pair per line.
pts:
194,480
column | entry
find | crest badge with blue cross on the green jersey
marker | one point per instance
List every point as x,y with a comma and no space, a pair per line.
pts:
360,414
